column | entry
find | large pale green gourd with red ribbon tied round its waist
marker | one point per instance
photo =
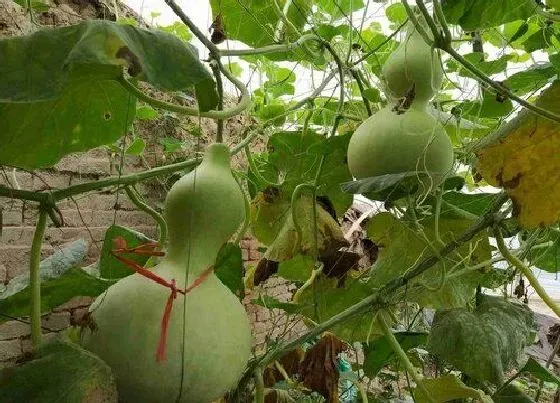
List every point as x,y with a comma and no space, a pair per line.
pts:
207,356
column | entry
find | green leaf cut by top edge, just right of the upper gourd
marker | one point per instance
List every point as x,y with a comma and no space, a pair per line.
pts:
472,15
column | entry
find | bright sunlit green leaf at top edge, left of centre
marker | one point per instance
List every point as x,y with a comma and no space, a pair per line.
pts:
254,22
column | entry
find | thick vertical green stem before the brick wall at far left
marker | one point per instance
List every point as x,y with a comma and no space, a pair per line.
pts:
35,276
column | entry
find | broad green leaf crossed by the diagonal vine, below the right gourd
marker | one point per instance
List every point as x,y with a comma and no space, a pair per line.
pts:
401,247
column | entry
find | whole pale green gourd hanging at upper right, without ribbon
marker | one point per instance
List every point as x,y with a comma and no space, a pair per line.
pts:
403,136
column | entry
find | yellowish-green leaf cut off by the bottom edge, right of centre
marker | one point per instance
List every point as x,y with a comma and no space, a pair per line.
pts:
449,388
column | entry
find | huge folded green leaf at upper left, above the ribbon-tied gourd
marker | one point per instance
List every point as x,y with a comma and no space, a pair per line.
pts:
59,91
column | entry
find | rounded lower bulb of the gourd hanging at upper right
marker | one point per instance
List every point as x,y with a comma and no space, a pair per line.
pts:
391,143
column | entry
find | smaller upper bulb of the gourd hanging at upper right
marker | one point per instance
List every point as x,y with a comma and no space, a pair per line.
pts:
413,62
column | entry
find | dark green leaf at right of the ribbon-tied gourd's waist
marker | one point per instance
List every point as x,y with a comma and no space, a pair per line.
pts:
229,268
